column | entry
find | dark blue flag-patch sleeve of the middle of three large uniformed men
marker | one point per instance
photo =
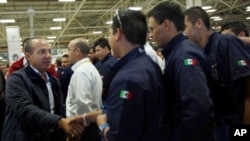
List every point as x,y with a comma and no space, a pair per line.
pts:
192,110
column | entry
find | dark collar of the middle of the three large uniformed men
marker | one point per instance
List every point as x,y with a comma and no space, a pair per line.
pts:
170,46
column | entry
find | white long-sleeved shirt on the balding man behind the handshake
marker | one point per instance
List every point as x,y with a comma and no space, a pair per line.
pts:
85,89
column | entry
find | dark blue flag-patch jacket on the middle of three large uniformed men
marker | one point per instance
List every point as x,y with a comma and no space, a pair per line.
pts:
190,114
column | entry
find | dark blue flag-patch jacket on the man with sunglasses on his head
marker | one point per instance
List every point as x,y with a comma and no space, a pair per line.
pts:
135,99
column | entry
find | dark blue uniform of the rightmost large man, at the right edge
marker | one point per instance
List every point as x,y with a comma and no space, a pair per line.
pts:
229,64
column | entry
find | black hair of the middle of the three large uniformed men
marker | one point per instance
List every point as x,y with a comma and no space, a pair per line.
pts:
168,10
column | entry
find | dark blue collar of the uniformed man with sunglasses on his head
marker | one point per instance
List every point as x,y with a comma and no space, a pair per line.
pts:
128,57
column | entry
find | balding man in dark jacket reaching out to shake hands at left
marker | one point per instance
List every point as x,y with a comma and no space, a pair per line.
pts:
33,100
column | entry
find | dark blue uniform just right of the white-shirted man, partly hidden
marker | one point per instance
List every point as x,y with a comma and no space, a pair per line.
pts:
105,70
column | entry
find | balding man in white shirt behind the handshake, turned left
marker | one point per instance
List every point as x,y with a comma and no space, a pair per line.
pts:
85,88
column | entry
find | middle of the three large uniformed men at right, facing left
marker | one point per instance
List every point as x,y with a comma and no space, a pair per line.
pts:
190,109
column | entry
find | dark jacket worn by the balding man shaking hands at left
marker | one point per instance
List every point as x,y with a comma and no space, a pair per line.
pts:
28,116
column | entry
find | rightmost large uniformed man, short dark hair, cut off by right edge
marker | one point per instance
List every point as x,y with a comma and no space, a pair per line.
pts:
229,71
